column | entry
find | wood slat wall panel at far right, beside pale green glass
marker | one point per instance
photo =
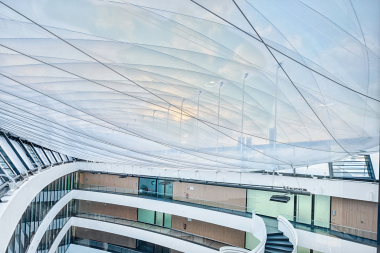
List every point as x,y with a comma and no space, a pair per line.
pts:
354,213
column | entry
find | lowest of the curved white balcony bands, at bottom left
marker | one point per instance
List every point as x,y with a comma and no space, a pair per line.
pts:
160,239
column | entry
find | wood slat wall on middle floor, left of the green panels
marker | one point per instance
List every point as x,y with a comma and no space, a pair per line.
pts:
108,209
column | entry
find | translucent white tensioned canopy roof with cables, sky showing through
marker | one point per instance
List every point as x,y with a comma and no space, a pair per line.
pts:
226,84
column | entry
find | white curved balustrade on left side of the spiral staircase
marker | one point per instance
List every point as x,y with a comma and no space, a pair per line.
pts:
259,231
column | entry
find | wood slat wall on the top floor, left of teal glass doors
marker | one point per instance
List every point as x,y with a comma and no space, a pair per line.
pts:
109,180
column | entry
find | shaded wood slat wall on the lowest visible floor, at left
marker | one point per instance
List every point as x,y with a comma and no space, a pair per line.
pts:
101,236
